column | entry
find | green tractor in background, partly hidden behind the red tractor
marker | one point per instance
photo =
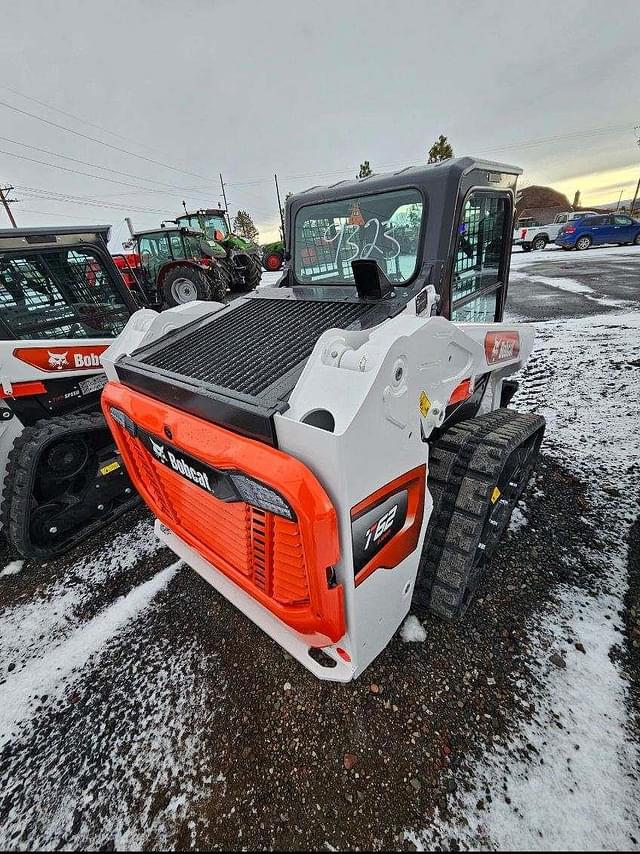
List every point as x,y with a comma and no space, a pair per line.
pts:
243,266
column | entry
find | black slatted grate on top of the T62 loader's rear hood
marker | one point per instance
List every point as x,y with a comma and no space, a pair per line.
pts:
251,347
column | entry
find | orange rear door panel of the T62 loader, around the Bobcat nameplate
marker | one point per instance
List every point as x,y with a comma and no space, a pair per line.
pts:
284,564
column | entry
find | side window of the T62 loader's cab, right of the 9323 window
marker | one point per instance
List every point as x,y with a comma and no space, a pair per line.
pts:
478,272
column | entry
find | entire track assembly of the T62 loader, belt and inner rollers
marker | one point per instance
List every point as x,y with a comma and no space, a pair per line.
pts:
477,473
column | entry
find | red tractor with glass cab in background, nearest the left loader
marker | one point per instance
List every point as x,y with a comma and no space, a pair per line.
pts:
173,265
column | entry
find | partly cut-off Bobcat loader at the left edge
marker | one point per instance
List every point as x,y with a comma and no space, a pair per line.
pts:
62,302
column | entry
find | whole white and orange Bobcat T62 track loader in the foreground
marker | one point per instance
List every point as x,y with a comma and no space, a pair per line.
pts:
331,451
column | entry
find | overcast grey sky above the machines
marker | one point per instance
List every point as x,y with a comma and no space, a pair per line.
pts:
307,90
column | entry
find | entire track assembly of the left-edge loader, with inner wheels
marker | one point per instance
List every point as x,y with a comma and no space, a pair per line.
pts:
61,472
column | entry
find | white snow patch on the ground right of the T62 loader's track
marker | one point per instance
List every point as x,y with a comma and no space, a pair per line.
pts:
579,790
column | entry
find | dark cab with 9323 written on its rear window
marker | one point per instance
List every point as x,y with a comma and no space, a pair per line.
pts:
446,225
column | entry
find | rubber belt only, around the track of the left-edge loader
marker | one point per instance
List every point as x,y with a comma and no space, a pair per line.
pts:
18,487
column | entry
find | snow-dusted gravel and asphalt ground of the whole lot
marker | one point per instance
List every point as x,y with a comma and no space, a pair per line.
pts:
142,710
